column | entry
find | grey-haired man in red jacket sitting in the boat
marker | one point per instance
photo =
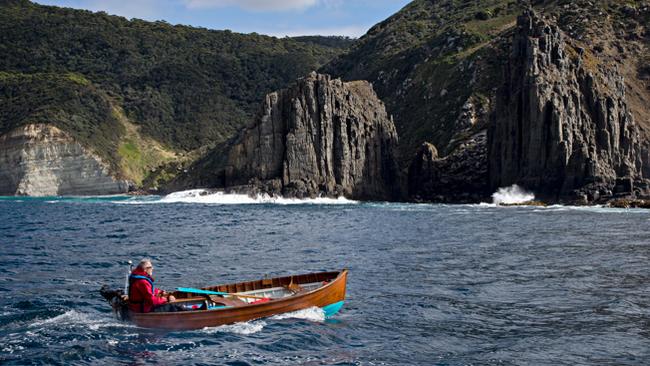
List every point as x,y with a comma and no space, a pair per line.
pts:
143,296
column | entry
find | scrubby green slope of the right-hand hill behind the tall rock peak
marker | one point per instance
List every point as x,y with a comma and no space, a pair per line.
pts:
433,57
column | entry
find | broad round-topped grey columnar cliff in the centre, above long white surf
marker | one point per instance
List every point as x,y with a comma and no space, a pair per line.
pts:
319,136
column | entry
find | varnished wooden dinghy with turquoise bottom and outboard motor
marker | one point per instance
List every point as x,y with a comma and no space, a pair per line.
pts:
244,301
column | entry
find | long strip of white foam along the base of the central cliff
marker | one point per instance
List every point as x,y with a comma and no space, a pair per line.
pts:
203,196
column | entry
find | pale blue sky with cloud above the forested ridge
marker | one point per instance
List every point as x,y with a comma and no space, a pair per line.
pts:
278,18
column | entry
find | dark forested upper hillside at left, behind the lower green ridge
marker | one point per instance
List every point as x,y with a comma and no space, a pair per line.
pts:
186,87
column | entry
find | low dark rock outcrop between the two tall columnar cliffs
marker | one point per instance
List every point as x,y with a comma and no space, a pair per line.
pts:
458,177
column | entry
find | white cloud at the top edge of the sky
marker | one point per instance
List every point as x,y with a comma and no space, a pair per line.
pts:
255,5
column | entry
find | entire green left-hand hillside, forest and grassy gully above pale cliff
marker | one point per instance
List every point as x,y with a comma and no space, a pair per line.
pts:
182,87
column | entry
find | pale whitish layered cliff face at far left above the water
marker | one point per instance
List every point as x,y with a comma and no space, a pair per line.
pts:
41,160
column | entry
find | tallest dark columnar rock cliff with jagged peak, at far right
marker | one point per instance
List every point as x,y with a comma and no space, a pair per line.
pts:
562,125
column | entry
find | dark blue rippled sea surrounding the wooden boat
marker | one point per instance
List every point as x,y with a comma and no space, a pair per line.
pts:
428,284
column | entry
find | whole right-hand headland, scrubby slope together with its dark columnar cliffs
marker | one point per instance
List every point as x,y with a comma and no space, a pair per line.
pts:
572,92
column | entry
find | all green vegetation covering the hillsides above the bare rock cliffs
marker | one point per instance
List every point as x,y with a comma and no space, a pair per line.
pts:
151,98
